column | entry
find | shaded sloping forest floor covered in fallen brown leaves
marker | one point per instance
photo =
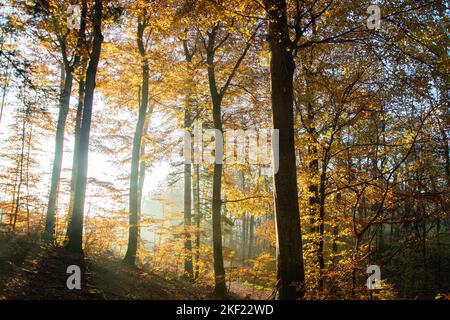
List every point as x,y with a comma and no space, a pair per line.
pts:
33,271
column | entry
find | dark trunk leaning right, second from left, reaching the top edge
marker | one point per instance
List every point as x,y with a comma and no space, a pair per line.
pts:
77,215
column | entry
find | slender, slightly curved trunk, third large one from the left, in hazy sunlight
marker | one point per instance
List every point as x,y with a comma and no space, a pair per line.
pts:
130,256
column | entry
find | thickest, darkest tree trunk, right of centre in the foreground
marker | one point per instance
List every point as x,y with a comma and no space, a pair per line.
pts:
289,237
